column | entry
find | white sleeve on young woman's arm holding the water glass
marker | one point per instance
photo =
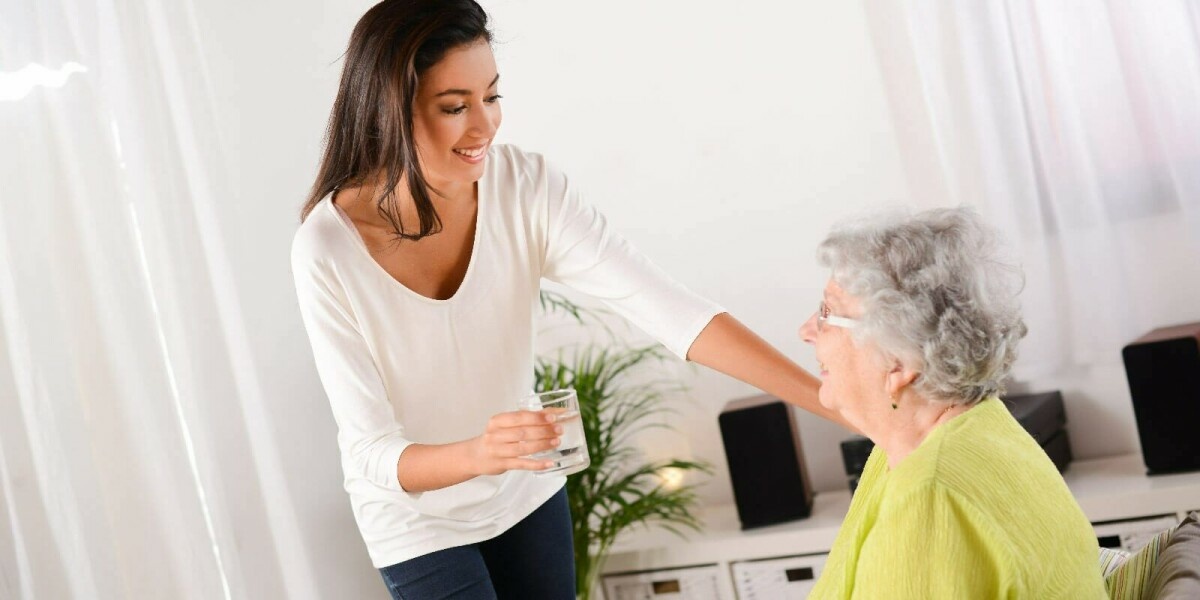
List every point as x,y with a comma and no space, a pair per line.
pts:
369,435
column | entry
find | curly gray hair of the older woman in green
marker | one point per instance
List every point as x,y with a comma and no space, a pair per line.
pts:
935,296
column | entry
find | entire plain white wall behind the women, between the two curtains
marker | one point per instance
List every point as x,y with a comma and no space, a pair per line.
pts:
723,140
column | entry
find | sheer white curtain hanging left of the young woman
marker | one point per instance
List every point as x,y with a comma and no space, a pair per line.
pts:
135,457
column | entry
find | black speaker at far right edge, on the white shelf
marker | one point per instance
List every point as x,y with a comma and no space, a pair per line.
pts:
1163,369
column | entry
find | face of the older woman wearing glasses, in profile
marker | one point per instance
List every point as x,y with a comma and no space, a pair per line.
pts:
850,376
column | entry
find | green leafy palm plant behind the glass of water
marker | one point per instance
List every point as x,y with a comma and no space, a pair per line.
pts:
620,489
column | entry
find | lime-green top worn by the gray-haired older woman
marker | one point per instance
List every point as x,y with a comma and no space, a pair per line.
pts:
976,512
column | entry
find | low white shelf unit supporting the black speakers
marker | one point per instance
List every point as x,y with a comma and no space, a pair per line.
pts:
1115,494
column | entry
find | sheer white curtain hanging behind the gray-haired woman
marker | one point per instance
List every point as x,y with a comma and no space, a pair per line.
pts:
1076,127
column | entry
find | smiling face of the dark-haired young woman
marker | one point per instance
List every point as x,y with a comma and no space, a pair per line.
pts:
455,116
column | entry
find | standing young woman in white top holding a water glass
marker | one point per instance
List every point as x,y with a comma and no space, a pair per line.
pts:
418,268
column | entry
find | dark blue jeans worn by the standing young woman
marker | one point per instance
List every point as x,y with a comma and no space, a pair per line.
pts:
532,561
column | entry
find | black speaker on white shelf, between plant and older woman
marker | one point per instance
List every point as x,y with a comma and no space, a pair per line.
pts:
763,446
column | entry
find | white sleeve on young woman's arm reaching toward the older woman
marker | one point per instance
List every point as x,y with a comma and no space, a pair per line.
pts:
585,254
